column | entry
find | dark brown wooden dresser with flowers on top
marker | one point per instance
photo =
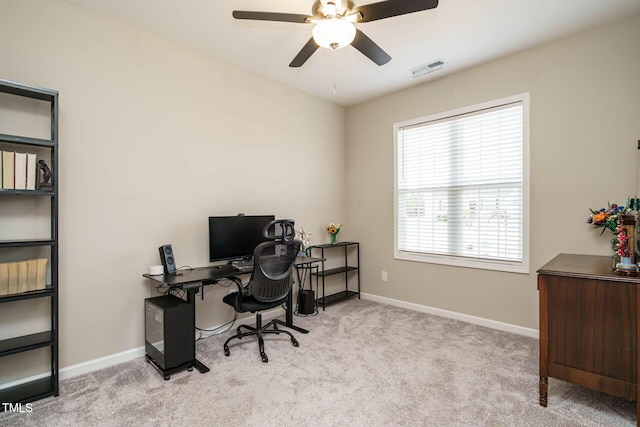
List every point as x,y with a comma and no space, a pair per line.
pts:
588,325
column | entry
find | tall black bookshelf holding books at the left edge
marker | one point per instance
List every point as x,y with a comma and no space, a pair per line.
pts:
48,385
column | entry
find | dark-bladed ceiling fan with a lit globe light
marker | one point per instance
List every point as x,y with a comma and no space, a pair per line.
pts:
334,24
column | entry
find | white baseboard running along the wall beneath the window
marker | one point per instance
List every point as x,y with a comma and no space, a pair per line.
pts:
488,323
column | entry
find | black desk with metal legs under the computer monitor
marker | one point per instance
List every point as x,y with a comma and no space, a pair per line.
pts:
192,280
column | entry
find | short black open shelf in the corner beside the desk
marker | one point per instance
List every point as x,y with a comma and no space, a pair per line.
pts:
345,269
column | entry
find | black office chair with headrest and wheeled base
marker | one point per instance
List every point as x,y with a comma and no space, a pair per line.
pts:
270,282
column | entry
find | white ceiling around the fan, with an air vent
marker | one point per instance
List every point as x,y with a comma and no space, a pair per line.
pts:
461,33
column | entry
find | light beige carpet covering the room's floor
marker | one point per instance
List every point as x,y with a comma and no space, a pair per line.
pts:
362,364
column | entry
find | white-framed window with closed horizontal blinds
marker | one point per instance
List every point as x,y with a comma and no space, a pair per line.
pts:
461,187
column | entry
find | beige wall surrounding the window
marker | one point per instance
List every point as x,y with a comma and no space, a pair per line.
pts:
585,123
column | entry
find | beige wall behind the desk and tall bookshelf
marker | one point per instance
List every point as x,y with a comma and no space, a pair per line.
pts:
154,138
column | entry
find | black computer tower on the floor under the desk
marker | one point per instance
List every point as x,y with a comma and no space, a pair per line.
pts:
169,331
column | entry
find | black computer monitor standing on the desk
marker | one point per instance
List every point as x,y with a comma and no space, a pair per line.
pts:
235,237
